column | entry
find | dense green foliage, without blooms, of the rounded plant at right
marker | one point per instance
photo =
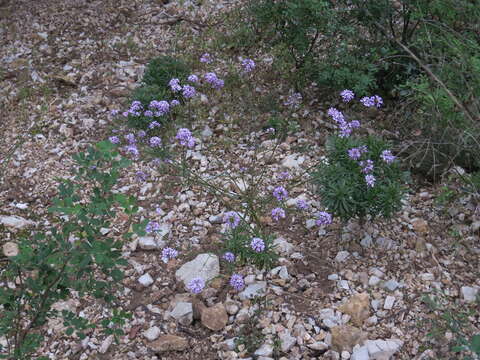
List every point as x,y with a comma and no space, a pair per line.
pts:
342,186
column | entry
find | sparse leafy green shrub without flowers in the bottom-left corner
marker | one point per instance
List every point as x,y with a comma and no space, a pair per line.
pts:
75,256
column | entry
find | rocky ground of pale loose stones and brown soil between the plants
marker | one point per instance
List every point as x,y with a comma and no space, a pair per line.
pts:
337,292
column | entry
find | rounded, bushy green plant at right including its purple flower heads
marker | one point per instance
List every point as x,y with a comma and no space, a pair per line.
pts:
360,177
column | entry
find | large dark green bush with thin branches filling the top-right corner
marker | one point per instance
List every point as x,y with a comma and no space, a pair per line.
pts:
421,52
